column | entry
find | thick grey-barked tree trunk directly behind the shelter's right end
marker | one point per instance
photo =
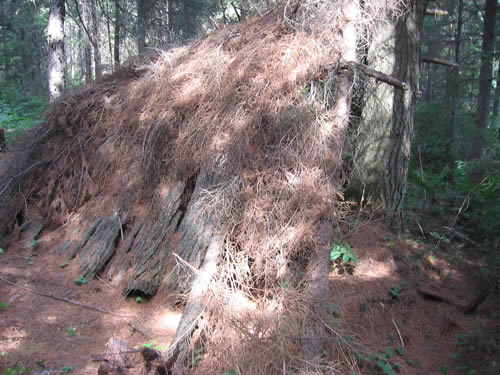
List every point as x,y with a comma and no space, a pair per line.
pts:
383,139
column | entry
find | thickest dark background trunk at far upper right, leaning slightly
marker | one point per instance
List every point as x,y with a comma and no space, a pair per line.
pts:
485,77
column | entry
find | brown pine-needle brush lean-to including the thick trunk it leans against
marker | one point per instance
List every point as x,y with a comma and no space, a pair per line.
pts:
215,169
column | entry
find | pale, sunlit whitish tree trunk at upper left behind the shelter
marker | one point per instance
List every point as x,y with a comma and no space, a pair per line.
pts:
55,39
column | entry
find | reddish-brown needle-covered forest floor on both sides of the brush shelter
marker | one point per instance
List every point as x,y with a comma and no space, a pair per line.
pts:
402,302
